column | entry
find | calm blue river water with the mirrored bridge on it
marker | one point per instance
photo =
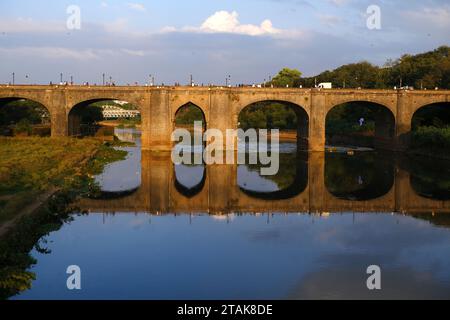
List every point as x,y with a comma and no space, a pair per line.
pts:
226,232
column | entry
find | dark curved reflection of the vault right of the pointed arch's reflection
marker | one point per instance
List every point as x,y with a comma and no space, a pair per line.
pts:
299,184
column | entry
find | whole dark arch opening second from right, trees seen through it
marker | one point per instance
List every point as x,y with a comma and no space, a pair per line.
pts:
369,124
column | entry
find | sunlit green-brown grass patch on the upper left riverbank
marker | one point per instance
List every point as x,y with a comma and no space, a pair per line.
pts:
30,167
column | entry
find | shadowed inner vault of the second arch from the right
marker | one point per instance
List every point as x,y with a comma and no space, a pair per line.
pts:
384,118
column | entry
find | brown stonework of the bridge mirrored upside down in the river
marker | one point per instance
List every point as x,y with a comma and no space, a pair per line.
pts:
221,194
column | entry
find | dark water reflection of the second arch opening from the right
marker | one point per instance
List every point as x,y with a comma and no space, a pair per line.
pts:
383,177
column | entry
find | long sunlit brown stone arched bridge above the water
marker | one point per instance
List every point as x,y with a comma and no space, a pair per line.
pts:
221,108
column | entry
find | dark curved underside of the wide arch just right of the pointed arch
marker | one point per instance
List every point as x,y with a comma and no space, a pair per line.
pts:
301,114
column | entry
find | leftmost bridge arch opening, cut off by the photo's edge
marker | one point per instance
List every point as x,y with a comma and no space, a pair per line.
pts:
35,111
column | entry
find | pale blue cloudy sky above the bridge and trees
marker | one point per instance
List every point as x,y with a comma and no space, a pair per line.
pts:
249,40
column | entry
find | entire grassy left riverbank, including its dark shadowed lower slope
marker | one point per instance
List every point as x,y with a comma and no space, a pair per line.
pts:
31,167
